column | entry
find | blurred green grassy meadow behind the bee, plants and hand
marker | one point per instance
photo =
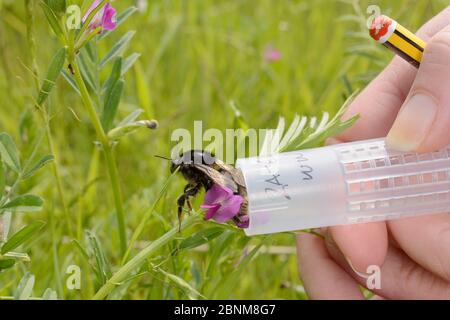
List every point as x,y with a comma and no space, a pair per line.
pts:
195,57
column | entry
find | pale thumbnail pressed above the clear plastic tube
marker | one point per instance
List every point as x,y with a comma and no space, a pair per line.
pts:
413,123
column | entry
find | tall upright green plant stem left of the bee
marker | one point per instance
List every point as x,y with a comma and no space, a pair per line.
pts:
107,149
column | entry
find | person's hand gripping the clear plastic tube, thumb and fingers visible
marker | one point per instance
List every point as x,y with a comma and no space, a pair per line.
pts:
411,107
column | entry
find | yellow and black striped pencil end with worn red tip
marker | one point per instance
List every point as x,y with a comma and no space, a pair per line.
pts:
398,39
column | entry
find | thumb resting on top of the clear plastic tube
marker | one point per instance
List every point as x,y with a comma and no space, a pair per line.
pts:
423,123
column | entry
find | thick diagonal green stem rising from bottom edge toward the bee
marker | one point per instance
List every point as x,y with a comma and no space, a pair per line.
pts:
144,254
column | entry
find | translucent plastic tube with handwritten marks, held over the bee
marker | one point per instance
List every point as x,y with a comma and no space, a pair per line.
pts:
343,184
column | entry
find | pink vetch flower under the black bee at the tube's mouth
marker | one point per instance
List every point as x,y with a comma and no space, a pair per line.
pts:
222,204
